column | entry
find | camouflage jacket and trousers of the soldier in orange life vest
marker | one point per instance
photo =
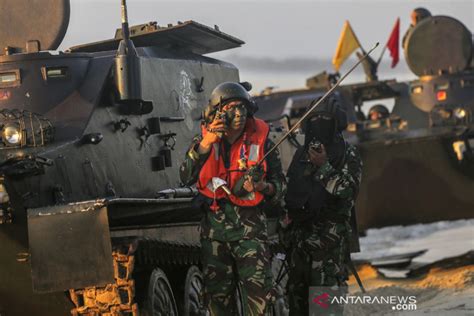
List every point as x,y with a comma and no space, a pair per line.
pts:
234,243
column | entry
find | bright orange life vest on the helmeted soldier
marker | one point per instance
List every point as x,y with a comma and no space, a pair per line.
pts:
250,146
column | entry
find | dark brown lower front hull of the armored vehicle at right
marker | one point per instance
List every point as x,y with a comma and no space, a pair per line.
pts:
414,181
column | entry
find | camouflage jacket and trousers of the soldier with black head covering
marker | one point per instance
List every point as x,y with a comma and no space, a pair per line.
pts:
319,246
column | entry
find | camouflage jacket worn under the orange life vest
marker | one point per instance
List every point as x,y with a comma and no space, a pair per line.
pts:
232,222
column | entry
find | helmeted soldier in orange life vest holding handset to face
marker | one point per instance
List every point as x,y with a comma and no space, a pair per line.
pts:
234,234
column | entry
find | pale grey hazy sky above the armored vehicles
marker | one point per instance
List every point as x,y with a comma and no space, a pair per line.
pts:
286,41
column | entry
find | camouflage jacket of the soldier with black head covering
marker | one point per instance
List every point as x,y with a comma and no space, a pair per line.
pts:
332,224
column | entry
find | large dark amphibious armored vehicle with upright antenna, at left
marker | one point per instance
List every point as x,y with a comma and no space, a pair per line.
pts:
93,217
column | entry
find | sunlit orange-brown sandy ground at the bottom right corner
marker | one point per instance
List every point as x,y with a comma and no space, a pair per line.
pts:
440,292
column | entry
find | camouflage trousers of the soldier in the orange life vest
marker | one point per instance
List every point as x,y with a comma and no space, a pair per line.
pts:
226,264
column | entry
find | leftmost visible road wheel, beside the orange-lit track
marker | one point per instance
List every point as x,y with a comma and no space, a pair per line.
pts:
160,295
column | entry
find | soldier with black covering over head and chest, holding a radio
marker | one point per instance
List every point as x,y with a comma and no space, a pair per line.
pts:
324,178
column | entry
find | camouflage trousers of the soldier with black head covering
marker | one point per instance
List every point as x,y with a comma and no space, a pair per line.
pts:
310,267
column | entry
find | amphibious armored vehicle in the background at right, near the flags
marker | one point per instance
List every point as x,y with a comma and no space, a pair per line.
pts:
418,160
